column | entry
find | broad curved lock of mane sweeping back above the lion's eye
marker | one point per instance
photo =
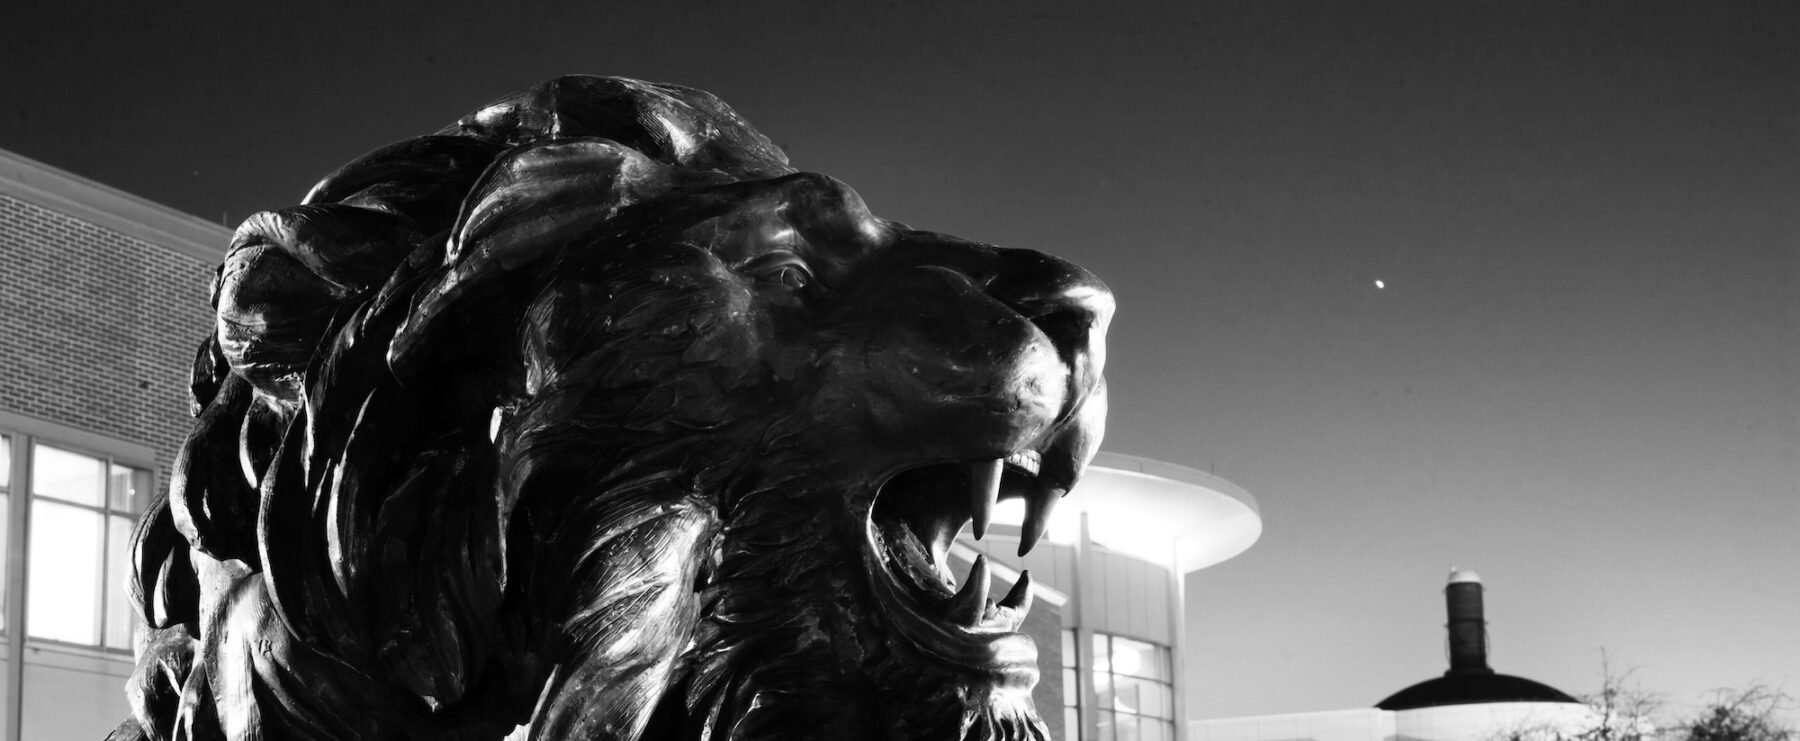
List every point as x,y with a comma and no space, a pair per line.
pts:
532,204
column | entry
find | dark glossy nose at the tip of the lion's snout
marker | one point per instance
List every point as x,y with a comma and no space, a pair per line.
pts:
1063,299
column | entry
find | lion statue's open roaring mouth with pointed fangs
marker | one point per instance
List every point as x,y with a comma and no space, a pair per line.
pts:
921,512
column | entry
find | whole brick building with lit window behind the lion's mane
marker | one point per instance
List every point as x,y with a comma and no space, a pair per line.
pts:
103,299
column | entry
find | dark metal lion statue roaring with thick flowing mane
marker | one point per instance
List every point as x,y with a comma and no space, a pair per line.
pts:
589,418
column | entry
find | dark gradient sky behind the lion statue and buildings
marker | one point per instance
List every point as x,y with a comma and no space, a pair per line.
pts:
1583,377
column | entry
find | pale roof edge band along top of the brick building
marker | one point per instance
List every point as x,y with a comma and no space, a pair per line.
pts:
103,206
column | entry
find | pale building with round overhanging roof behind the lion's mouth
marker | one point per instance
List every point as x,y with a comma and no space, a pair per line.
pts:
1113,567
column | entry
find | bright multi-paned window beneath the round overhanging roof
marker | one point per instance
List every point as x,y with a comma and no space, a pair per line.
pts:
1135,690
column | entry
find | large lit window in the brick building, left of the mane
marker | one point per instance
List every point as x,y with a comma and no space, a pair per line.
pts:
82,517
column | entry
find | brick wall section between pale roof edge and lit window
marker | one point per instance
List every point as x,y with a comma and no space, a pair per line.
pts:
98,330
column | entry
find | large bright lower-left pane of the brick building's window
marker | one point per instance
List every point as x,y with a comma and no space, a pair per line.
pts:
66,560
